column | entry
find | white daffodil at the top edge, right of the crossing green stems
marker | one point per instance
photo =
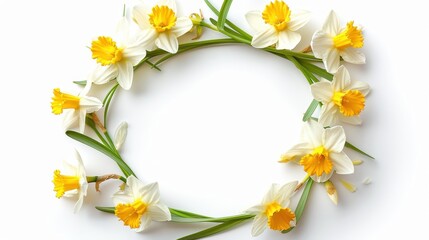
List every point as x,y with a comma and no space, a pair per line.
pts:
277,25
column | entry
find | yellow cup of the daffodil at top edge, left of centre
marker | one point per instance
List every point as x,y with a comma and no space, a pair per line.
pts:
162,18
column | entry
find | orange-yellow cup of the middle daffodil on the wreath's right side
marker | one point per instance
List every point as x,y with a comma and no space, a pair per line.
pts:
350,102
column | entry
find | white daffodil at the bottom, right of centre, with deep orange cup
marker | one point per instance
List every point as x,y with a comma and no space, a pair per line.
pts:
274,210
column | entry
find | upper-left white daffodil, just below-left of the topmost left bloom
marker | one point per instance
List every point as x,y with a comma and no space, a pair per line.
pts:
117,56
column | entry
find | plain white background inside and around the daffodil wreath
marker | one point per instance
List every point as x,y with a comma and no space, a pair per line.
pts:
211,126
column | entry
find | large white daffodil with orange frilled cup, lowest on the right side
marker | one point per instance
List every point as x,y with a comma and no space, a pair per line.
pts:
321,152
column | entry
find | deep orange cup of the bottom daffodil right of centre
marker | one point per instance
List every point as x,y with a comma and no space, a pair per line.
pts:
278,218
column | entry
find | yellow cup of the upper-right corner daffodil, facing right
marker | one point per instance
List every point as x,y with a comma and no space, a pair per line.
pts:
349,37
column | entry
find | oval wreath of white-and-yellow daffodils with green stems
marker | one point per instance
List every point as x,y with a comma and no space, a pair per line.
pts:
152,38
